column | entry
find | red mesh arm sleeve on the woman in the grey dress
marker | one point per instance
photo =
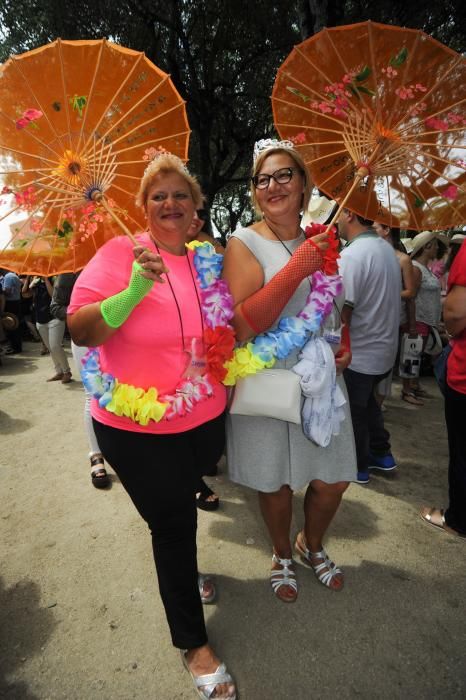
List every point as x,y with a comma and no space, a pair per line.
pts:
262,308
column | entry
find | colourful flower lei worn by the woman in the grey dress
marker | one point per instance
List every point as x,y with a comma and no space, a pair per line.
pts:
292,331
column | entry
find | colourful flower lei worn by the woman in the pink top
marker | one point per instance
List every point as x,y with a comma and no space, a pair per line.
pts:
141,405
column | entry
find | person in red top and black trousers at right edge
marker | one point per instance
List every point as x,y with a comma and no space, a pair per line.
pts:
453,518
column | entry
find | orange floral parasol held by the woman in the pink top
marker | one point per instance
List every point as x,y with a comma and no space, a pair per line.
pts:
78,122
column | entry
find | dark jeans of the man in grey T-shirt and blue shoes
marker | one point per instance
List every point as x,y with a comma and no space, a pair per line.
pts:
369,430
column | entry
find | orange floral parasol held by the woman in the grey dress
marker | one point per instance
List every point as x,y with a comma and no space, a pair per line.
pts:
377,112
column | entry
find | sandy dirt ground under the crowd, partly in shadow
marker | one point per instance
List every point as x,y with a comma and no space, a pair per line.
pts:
80,616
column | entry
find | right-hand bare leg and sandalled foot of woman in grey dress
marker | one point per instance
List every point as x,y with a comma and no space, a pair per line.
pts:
321,502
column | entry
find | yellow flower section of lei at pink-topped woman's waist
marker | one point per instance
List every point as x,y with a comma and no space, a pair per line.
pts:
135,403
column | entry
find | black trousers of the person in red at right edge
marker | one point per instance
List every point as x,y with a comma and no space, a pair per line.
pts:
455,411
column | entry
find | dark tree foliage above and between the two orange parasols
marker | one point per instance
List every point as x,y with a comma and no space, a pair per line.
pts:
222,56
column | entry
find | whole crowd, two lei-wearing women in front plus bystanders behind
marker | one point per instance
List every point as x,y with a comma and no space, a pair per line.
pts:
158,413
